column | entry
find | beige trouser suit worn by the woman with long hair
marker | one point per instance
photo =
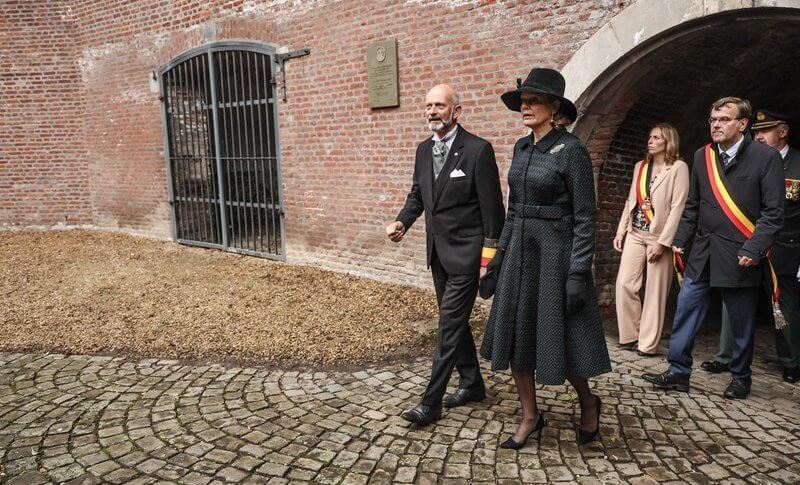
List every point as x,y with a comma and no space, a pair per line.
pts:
637,321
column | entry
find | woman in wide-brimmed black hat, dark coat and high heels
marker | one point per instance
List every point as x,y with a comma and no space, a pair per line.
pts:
544,318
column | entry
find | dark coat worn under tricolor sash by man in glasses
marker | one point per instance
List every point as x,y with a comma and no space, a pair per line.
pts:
755,177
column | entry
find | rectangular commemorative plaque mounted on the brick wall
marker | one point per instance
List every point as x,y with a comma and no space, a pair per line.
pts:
382,74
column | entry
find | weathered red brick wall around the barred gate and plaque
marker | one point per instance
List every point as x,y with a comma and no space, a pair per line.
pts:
346,168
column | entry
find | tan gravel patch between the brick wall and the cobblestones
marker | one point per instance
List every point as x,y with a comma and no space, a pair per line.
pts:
98,293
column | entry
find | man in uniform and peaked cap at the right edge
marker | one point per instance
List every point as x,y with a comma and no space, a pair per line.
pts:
771,128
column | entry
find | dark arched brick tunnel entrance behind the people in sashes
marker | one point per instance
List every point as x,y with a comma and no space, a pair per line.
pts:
674,77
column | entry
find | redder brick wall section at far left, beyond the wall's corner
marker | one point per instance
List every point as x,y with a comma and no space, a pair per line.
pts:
43,174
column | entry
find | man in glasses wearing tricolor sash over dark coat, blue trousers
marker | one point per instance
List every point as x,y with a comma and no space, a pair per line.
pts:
735,208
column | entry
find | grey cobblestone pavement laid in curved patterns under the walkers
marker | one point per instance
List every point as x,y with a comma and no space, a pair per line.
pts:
81,419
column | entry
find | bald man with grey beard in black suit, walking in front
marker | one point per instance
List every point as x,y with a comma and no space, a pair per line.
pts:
457,186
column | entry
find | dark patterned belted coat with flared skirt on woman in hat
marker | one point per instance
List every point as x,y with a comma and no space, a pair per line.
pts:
548,234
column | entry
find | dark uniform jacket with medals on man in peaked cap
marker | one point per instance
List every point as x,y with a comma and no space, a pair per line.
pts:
786,250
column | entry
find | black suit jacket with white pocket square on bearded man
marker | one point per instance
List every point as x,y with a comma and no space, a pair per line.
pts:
459,212
